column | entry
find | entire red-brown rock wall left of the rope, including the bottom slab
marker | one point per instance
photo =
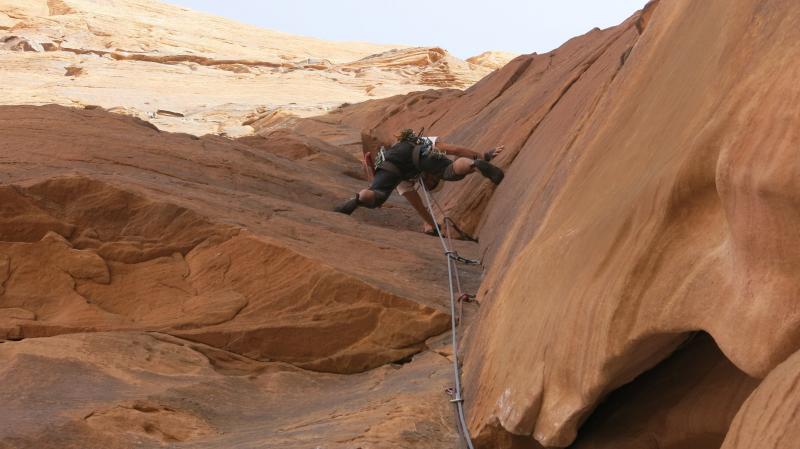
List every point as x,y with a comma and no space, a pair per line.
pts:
175,289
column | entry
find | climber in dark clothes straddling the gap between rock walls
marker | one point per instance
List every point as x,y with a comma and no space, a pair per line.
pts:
425,158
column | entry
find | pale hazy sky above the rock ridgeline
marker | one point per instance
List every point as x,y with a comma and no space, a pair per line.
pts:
463,27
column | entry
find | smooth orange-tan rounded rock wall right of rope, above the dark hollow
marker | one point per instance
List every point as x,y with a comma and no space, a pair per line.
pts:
675,214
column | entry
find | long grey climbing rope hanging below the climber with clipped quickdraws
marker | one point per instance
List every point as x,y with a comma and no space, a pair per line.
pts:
454,283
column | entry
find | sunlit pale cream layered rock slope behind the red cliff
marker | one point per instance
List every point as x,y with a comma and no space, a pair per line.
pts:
191,72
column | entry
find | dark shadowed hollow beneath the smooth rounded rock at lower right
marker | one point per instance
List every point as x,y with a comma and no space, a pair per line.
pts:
696,380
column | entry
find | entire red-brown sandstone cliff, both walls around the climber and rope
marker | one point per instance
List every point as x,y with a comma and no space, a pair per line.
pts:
650,194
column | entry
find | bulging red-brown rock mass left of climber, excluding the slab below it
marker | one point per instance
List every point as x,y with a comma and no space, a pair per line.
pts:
84,253
